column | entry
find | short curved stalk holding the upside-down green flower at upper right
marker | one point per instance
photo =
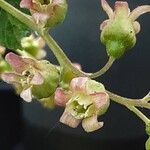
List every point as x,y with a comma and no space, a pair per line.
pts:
104,69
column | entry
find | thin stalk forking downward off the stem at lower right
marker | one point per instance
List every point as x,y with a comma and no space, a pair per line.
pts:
139,114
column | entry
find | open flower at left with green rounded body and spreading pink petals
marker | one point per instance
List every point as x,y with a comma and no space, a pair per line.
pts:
32,78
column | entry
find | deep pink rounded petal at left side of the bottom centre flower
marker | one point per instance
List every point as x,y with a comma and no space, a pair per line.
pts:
60,97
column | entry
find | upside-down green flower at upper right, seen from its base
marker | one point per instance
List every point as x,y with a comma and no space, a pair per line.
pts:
119,31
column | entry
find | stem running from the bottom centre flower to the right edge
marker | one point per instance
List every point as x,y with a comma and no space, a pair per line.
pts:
128,101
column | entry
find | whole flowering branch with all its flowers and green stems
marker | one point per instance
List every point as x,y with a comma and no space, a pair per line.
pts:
84,99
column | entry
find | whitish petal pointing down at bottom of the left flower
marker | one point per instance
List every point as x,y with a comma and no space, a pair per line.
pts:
26,95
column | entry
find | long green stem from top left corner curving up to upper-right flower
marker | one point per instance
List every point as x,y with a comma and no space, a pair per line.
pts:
58,52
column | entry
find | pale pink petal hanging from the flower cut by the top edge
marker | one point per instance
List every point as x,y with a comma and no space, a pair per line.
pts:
40,17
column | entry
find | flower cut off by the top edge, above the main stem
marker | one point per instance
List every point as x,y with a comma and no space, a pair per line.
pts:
49,12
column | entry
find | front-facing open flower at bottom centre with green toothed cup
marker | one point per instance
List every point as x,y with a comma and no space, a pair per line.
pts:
84,102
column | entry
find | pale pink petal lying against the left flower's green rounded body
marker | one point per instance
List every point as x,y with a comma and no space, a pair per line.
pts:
37,79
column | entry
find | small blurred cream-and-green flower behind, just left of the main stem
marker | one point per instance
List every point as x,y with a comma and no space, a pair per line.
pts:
34,46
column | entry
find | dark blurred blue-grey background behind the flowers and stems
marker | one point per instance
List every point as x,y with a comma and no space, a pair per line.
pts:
26,126
